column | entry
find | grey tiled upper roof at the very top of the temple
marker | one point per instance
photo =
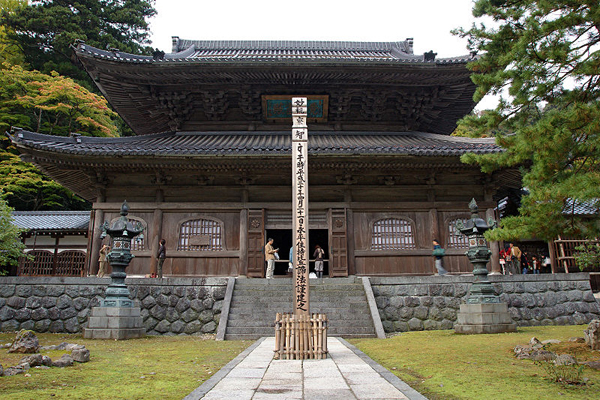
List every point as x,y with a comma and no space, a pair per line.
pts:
273,51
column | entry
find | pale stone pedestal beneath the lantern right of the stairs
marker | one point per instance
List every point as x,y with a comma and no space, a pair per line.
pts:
484,318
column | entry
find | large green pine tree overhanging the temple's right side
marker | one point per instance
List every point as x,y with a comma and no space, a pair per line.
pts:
543,58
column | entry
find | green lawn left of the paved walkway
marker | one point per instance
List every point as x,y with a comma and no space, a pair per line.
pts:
167,367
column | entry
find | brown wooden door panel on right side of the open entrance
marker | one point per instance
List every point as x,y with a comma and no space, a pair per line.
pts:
338,248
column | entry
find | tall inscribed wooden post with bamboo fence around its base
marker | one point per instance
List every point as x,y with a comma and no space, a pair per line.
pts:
300,335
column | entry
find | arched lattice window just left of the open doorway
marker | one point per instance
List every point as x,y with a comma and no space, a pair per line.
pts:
200,235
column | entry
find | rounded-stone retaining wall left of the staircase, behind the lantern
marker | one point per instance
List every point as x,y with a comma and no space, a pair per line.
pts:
170,306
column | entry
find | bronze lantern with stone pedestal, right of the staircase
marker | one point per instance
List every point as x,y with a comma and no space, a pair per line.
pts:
482,312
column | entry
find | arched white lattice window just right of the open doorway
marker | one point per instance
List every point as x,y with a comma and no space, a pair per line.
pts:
392,234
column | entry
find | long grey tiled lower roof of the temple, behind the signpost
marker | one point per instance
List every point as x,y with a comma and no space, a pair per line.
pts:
258,143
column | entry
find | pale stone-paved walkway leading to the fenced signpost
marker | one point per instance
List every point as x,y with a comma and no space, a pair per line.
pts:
347,374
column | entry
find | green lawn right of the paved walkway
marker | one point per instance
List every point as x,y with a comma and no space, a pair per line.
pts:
446,366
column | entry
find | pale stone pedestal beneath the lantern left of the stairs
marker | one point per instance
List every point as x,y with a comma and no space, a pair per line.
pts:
114,323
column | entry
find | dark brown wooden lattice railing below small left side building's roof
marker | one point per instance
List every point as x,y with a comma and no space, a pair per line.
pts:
46,263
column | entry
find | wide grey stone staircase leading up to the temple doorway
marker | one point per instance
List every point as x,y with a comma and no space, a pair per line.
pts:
255,303
